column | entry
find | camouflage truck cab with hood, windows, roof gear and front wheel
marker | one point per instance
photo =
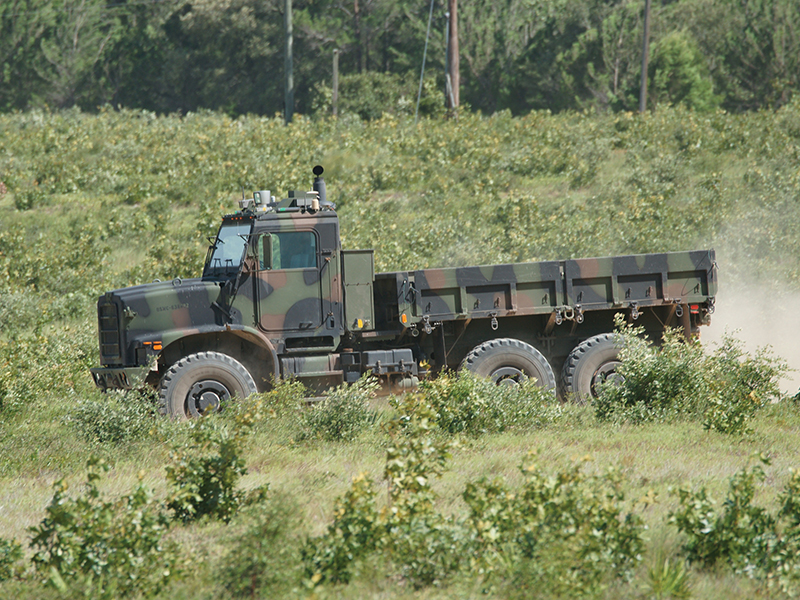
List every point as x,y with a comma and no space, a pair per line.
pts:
270,304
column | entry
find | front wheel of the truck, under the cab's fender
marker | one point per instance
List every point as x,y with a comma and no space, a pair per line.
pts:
202,382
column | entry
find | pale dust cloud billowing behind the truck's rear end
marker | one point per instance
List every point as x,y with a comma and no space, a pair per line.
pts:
759,316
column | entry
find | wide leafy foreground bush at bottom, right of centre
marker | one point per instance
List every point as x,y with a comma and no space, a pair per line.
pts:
566,534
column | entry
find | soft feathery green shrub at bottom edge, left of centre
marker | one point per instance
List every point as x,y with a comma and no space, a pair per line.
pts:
264,560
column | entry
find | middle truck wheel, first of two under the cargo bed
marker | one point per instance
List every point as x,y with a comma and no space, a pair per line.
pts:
508,362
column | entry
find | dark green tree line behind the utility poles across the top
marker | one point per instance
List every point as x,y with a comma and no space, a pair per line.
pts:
227,55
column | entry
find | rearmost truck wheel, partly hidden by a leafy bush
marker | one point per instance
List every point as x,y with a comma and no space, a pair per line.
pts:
588,365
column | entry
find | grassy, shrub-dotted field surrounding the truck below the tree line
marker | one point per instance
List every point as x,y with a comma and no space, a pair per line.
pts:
97,202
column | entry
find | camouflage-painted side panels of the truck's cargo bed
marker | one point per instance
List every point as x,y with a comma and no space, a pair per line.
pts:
569,286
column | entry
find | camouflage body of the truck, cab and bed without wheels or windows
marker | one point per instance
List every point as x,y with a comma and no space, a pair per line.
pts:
305,321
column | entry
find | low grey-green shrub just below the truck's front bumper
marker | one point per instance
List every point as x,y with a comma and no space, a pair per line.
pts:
113,419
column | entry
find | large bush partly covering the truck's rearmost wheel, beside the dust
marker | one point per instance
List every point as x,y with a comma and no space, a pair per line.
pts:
679,380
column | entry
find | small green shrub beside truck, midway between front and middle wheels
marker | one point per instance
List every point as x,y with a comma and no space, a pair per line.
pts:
342,415
